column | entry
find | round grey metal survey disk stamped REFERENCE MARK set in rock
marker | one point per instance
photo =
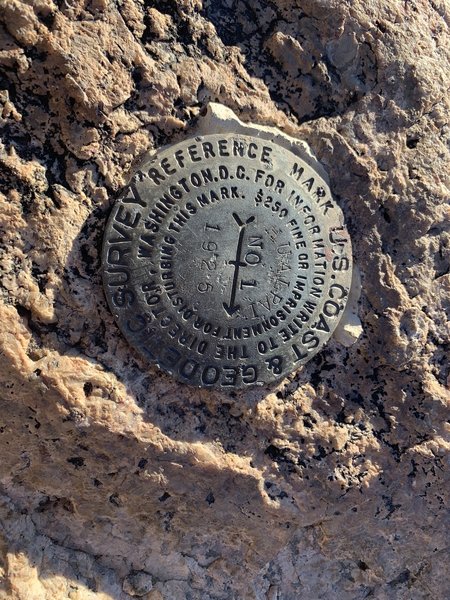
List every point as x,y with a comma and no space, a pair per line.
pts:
226,261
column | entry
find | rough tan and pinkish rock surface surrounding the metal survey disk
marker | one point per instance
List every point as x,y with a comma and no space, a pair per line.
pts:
117,482
